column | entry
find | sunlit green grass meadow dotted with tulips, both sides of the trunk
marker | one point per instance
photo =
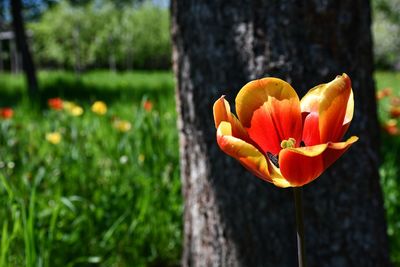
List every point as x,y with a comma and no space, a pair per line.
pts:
96,187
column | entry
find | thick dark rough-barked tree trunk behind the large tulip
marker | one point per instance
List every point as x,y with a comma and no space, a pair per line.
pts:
232,218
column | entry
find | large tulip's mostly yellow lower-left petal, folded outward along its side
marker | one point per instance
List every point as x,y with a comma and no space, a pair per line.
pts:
249,156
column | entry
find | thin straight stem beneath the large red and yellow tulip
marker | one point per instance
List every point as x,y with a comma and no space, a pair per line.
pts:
298,201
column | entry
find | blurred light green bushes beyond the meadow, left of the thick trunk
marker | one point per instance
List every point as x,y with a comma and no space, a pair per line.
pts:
102,35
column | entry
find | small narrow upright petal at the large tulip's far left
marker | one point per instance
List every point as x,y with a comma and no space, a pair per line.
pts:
222,112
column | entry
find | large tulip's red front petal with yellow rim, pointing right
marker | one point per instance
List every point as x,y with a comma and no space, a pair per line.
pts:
302,165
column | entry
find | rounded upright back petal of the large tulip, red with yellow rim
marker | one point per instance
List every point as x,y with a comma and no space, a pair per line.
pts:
269,109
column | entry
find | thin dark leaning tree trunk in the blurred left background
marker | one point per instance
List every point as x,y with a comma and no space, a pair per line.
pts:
23,48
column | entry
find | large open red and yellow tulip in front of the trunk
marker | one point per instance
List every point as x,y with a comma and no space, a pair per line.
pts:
284,140
